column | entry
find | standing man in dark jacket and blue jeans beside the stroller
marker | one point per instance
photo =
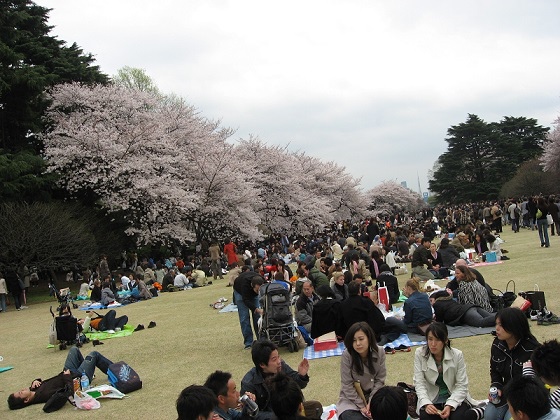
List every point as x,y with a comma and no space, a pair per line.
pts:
246,296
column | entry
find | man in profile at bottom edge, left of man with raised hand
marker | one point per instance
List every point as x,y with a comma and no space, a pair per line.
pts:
225,389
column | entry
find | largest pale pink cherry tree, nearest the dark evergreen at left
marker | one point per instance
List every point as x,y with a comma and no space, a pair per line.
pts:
139,156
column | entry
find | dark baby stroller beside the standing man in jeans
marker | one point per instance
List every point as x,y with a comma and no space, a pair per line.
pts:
277,319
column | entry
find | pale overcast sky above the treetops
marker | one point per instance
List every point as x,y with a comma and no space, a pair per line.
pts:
372,85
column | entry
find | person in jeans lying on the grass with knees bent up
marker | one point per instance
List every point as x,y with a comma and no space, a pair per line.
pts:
75,365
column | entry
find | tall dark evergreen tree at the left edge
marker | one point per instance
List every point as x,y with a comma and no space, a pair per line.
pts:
31,61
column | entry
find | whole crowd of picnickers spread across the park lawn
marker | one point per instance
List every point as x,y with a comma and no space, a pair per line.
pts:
335,283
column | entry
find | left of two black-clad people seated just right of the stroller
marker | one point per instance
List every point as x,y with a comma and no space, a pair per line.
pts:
326,314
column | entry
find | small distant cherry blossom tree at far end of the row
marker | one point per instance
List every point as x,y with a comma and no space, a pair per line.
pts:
390,197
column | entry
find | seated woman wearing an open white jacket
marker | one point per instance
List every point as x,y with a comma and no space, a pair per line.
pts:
440,377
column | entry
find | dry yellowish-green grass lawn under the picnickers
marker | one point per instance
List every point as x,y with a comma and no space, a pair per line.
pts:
192,340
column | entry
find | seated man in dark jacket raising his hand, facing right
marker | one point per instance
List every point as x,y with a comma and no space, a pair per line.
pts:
267,364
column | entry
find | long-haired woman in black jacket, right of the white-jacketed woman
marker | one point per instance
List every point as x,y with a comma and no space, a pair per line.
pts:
513,346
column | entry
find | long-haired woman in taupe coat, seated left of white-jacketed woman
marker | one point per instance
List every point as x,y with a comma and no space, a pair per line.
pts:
362,372
